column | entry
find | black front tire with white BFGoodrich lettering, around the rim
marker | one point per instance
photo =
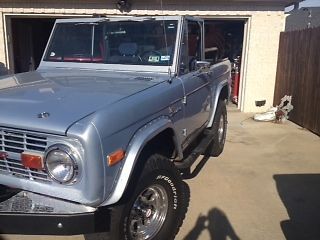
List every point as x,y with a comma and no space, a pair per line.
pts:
159,172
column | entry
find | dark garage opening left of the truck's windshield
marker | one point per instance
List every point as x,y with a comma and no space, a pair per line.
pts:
29,39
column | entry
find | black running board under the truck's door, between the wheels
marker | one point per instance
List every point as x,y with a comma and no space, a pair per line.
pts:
193,154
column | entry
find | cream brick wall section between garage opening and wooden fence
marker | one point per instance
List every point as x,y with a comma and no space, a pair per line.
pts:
262,59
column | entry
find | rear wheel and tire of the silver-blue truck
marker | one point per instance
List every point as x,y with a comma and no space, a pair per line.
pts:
218,130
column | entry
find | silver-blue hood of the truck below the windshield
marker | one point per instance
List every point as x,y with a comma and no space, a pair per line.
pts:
67,96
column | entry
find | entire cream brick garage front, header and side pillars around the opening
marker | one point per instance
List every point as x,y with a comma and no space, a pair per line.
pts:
264,26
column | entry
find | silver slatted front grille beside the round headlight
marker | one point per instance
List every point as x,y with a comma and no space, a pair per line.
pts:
14,142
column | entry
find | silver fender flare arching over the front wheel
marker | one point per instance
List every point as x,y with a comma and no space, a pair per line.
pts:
137,143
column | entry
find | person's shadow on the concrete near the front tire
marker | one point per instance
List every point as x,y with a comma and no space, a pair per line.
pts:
216,223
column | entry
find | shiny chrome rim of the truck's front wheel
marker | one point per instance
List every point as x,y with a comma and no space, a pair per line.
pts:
148,212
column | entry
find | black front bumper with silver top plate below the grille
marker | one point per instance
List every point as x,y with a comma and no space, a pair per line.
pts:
33,214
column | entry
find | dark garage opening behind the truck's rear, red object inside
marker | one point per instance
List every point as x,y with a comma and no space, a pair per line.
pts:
224,39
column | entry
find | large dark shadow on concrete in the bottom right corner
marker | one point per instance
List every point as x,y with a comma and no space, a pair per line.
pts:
300,194
